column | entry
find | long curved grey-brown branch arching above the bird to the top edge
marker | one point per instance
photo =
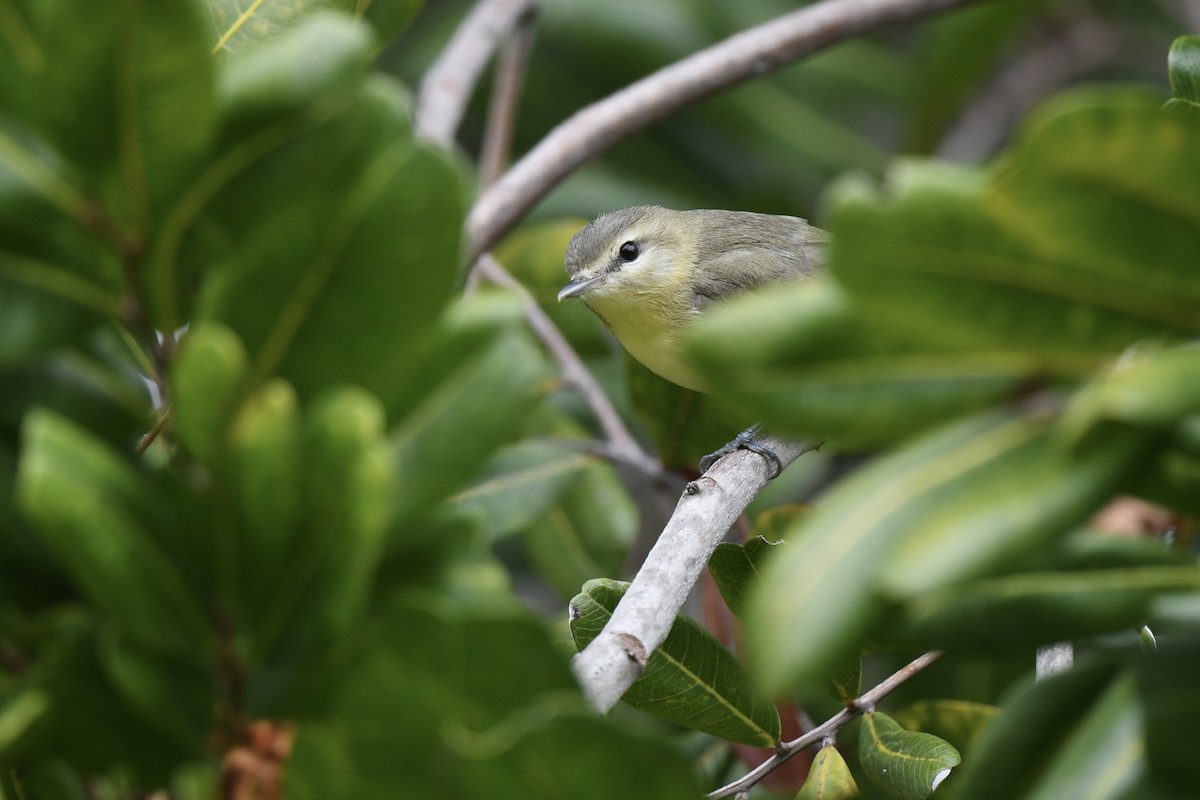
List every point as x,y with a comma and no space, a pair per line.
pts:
740,58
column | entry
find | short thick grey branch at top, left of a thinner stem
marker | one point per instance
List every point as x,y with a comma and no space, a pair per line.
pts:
451,82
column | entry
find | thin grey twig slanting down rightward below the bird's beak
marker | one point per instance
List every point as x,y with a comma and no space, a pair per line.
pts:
575,372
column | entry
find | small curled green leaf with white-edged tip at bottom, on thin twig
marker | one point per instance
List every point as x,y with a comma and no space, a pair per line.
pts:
905,765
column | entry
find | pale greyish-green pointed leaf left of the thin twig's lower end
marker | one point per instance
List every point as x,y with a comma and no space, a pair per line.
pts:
519,486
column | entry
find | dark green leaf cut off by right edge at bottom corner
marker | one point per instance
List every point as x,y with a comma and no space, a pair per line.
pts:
1169,703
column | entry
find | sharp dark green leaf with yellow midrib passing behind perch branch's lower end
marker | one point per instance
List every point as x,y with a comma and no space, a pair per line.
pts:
692,681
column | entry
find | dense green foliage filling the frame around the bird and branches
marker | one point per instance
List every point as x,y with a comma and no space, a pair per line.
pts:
265,466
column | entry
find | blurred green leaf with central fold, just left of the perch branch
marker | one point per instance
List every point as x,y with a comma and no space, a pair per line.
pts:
587,534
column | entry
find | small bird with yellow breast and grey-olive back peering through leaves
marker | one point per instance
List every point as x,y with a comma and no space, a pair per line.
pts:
649,273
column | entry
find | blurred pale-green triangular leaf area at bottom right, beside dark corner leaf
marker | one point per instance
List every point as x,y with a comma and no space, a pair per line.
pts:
1106,754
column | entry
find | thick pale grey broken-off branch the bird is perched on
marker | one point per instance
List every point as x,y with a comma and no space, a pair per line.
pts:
709,508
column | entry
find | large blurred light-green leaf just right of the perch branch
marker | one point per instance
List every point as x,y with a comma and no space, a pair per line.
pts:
899,524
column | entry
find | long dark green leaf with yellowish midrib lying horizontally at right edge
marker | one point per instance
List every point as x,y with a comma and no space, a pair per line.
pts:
1037,609
